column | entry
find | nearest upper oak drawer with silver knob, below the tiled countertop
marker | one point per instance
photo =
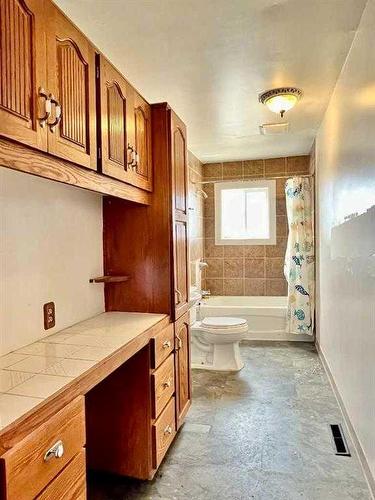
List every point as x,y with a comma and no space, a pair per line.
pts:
27,463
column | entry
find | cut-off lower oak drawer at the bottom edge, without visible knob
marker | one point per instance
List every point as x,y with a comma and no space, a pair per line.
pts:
70,484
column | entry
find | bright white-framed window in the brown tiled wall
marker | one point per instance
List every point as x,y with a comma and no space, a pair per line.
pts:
245,213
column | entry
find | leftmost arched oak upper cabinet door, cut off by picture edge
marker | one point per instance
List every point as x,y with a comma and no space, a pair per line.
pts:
23,71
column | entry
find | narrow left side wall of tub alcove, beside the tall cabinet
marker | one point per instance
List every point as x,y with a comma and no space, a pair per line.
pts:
195,220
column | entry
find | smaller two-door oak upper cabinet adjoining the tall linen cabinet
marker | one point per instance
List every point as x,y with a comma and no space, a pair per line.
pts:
124,125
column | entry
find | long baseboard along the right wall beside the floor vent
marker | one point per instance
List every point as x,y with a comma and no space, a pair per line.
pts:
358,448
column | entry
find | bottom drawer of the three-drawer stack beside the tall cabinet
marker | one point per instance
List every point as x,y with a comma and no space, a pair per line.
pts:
163,432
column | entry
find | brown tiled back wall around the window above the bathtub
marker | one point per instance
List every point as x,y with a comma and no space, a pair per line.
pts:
248,270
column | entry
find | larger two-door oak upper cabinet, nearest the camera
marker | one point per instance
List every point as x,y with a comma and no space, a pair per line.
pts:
47,81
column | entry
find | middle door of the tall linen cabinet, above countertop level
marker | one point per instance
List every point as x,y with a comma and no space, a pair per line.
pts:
180,264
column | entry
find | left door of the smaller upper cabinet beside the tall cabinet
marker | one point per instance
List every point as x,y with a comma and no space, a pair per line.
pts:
114,122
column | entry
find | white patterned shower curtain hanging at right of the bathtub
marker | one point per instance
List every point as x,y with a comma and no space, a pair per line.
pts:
299,268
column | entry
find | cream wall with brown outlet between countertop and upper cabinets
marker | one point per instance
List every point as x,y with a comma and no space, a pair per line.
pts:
51,244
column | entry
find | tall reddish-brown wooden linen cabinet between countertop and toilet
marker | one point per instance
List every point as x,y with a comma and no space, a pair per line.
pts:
150,245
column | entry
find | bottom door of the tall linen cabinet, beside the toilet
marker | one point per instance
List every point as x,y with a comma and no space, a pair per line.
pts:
183,370
